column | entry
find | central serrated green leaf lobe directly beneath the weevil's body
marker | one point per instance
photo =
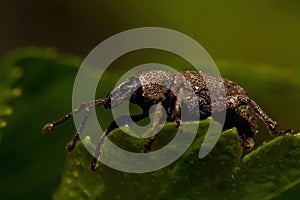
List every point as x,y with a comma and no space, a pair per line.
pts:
79,182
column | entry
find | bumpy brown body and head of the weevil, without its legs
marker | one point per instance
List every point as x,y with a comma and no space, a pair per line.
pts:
190,87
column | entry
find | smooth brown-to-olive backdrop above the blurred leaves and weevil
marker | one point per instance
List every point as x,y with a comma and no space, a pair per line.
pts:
261,31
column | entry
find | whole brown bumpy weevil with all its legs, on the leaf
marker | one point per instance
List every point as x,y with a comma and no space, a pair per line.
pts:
172,92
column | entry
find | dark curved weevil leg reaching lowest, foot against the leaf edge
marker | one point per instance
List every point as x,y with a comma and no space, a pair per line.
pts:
122,120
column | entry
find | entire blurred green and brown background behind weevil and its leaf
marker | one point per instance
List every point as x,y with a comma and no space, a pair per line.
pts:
255,43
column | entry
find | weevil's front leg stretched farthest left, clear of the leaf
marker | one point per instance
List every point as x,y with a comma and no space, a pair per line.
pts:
50,126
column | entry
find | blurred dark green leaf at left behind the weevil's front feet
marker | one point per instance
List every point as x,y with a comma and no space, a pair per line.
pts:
30,162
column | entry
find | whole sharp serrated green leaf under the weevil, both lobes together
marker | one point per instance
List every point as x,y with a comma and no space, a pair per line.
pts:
264,173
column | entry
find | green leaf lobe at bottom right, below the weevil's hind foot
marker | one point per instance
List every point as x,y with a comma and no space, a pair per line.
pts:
271,169
